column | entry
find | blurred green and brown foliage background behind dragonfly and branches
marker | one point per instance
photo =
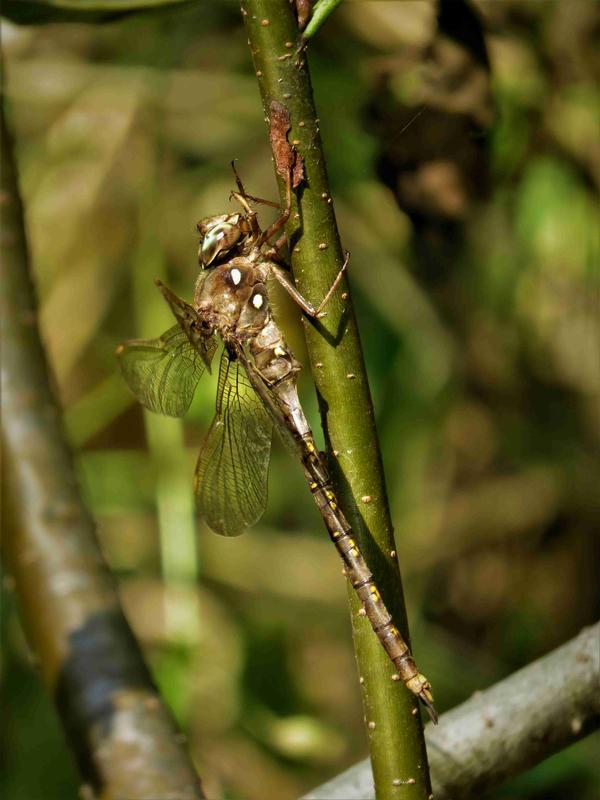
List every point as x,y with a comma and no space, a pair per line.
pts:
464,157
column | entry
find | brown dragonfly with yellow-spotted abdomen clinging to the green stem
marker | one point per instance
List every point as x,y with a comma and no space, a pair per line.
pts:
257,393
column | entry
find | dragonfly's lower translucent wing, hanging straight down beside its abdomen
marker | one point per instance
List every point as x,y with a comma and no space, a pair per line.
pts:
231,475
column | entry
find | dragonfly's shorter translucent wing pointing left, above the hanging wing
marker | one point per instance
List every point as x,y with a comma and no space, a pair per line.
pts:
163,373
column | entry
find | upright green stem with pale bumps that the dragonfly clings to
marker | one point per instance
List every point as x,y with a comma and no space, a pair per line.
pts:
395,734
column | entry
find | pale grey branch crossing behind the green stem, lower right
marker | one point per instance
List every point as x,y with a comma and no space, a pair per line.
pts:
506,729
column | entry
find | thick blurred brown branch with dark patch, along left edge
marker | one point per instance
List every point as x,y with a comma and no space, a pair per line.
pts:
125,740
